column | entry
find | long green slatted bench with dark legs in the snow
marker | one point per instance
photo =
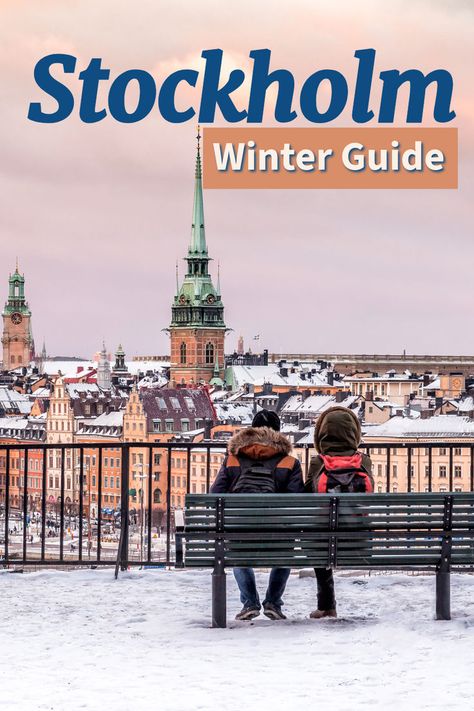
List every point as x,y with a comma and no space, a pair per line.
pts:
356,531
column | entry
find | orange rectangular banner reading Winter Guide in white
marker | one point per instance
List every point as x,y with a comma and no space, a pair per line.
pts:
273,158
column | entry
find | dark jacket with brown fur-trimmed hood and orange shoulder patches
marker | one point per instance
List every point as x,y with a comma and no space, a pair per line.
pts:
259,444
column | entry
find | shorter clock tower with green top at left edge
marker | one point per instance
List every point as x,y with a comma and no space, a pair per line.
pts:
17,340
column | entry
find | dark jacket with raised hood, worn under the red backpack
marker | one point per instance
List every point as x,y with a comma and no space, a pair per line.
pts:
337,433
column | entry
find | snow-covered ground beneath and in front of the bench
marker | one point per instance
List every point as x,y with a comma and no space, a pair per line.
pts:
81,640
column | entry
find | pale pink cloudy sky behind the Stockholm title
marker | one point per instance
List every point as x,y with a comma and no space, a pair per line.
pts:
98,214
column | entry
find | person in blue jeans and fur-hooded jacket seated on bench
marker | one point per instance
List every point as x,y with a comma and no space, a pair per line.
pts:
261,444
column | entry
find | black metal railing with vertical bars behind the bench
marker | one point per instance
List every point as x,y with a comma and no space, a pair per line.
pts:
68,524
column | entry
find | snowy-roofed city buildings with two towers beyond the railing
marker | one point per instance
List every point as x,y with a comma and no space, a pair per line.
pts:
201,394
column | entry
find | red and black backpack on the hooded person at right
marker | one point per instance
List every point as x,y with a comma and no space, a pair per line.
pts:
343,475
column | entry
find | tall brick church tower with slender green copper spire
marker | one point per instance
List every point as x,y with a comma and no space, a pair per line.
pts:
197,328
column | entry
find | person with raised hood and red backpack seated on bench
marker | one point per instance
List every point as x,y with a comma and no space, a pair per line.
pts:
338,468
